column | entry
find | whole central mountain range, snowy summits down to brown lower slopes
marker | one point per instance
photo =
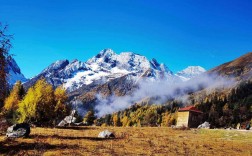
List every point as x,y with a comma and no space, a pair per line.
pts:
105,75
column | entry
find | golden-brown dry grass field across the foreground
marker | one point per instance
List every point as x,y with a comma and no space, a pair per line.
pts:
129,141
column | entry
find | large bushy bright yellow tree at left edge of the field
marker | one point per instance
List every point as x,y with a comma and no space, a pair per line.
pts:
38,106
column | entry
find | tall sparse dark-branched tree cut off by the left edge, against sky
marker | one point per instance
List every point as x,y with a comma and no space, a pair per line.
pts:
5,45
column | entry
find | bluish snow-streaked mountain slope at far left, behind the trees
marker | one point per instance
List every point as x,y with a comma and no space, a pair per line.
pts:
13,72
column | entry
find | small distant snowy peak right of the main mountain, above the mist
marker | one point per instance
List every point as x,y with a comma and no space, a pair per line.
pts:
190,72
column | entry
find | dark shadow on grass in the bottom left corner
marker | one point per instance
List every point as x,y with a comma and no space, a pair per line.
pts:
12,147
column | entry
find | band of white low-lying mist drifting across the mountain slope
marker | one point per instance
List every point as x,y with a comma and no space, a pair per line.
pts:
163,89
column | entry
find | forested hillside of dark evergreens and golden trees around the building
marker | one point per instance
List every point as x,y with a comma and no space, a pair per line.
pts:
220,108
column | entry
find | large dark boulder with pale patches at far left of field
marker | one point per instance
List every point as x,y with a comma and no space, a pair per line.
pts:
18,130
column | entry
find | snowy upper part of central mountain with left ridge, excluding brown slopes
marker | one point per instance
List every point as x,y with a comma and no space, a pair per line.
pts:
100,69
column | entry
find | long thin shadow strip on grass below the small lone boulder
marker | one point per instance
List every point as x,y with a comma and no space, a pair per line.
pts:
71,137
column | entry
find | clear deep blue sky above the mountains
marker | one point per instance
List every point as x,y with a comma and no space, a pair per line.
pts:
178,33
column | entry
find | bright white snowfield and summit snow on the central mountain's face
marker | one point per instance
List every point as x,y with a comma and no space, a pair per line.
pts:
108,65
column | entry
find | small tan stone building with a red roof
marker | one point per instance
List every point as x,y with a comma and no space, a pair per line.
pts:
189,116
